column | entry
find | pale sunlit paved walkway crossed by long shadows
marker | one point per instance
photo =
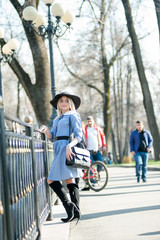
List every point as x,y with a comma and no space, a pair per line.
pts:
125,210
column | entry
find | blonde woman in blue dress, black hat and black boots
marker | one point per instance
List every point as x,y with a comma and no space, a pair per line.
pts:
68,122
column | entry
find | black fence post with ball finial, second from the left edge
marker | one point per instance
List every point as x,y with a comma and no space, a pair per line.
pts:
34,165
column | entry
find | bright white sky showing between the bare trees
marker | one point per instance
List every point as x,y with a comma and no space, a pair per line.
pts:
145,18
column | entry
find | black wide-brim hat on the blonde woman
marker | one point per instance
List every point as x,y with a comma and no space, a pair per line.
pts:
75,99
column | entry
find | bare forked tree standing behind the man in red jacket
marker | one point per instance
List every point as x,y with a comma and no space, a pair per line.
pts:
100,83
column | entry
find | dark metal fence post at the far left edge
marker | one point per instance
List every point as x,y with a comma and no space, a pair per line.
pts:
8,234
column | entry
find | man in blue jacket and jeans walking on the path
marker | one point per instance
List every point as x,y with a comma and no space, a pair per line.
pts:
140,144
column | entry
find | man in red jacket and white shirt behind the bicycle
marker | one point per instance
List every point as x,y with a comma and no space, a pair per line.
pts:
95,141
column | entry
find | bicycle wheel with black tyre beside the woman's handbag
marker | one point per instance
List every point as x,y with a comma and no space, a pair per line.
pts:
97,176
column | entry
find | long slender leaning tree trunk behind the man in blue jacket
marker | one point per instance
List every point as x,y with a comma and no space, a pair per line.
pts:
147,100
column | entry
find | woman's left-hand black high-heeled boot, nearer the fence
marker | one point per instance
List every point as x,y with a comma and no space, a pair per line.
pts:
69,206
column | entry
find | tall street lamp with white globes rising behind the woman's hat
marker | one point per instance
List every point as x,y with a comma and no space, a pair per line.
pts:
57,27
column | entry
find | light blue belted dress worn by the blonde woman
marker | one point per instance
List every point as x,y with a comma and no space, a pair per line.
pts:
59,170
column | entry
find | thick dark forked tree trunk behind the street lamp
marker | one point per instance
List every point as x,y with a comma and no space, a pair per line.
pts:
39,93
